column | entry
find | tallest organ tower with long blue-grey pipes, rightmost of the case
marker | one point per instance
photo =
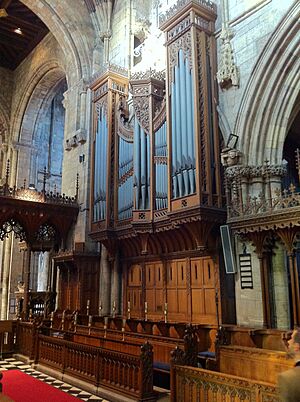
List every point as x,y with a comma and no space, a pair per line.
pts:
193,130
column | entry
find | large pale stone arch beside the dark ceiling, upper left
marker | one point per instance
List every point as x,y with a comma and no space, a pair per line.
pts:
72,28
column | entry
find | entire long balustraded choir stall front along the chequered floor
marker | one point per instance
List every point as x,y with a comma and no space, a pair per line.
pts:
118,365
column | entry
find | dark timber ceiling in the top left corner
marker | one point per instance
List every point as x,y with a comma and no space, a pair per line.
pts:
20,31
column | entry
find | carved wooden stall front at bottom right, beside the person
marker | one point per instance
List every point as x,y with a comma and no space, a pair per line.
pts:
197,385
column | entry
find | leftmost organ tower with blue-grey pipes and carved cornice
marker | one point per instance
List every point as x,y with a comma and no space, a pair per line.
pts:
112,182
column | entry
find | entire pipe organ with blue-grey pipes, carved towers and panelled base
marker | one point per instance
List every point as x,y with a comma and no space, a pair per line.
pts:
156,197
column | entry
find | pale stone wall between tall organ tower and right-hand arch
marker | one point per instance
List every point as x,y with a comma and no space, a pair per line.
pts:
252,24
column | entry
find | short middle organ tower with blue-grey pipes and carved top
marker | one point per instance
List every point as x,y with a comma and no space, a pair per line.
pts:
150,141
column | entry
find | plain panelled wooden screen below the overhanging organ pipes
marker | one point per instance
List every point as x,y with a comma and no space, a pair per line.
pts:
186,285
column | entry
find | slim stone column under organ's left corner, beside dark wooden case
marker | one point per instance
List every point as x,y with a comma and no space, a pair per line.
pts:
105,285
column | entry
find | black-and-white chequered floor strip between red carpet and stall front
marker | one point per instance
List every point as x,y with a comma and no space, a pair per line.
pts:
11,363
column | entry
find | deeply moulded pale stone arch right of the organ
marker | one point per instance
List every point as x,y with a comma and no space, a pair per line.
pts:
271,94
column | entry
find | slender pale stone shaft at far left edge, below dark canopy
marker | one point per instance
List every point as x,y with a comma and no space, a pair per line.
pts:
7,249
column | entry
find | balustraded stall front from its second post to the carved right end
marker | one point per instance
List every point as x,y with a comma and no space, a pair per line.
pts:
122,372
